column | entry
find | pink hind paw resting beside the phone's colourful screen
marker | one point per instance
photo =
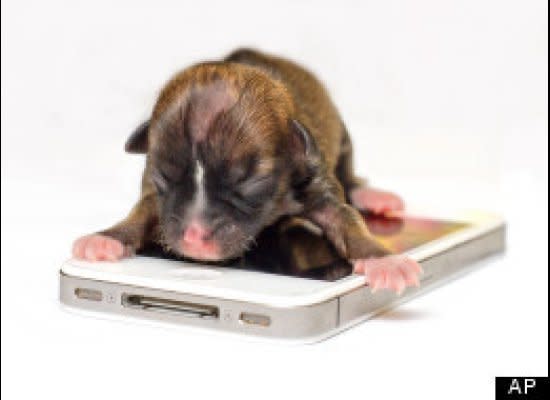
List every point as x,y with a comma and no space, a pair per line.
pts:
376,201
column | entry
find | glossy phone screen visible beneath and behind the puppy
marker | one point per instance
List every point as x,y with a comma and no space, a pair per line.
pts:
299,252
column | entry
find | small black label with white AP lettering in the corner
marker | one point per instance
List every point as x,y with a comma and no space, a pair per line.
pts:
521,388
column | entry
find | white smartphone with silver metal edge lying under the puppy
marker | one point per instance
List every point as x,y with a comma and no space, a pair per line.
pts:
292,288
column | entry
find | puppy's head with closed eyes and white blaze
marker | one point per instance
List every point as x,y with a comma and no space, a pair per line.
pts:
224,158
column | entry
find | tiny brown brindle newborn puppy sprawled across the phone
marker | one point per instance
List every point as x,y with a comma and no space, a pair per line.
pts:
232,147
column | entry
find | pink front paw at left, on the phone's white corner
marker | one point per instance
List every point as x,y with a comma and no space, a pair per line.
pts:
99,248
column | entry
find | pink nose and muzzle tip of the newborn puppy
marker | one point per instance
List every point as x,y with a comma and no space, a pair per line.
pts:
196,242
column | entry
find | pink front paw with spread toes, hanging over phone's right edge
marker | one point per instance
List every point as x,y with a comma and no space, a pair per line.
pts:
391,272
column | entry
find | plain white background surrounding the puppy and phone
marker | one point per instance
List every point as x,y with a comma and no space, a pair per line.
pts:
447,104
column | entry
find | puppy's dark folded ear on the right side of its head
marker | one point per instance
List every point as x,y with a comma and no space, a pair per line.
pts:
304,153
